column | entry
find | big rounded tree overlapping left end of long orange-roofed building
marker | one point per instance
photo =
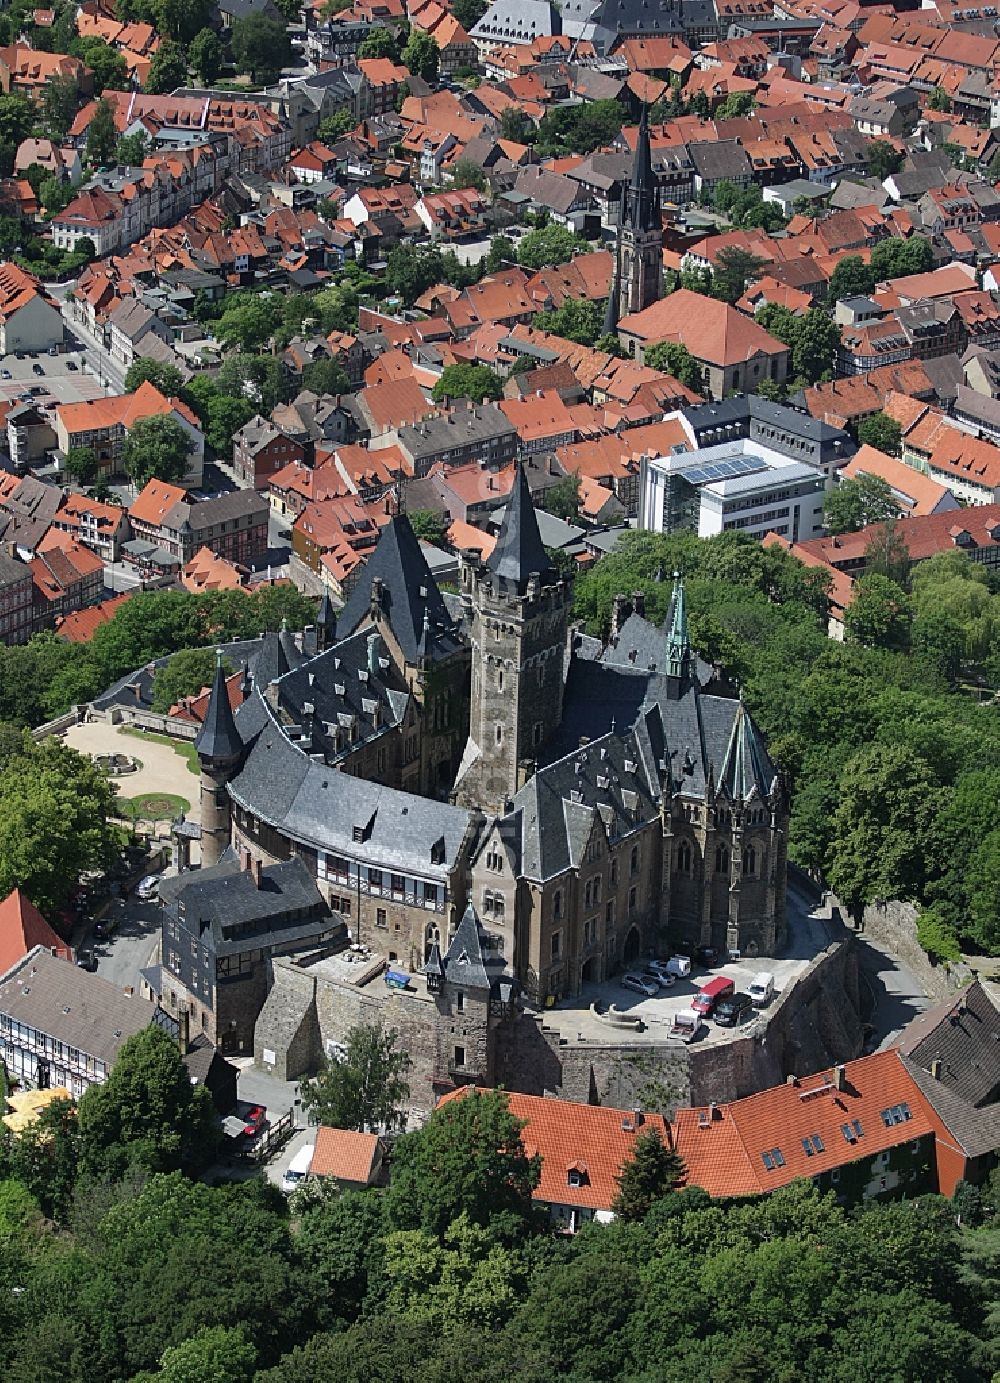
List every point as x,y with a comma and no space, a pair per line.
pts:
468,1160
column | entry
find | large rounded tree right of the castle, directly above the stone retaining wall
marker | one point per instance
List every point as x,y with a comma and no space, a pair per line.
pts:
883,826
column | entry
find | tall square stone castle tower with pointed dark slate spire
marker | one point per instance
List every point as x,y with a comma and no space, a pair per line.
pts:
519,611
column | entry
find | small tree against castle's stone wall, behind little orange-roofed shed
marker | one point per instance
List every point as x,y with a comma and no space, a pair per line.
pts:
366,1089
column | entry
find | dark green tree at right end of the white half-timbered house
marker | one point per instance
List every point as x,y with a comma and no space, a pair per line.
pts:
147,1114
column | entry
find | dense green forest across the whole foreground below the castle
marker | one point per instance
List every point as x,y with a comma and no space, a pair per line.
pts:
120,1265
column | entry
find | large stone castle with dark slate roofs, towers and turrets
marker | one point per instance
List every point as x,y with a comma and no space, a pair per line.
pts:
428,753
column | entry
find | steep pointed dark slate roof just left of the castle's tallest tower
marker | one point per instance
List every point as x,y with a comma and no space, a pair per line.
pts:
413,597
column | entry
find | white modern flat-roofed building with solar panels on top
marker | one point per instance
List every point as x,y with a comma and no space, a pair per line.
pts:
734,486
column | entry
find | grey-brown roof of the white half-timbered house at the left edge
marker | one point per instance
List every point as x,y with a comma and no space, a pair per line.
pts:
73,1006
